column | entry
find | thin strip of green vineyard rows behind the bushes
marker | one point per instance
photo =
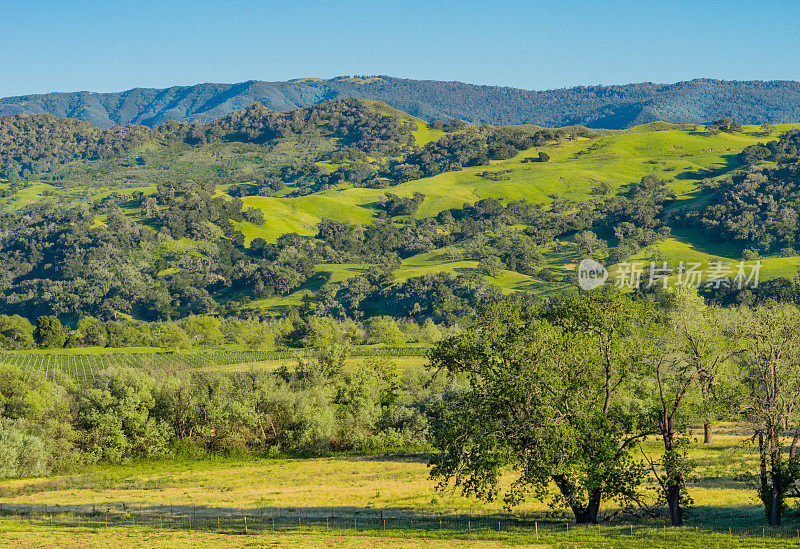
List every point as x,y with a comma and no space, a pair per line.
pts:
82,368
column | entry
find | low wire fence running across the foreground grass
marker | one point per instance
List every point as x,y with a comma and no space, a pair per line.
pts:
264,520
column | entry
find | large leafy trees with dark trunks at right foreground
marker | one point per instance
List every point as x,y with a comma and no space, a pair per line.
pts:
561,394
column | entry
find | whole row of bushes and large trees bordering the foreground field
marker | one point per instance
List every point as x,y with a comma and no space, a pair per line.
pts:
561,393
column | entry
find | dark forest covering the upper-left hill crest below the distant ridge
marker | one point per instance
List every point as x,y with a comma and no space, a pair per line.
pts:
35,144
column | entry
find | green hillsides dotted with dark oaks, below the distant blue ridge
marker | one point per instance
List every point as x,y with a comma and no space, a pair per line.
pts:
356,209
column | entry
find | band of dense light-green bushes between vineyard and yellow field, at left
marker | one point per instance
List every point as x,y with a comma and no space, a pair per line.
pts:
127,414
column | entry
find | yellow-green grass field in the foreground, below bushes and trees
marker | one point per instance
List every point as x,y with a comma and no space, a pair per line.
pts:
342,501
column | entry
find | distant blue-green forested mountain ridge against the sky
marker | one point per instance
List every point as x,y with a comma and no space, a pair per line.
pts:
613,107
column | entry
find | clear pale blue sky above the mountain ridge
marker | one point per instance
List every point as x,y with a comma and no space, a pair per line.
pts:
104,46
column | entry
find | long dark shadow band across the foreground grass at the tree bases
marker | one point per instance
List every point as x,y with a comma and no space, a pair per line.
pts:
742,520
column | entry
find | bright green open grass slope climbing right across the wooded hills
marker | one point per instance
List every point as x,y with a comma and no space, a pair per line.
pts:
576,167
